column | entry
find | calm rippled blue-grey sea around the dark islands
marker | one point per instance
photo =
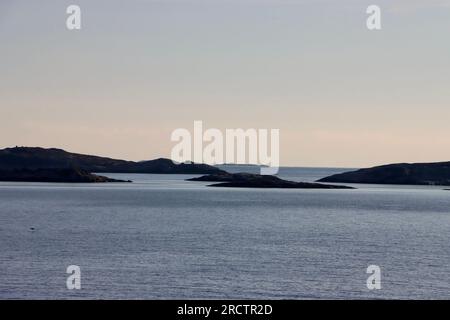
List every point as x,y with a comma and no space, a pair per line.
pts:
163,237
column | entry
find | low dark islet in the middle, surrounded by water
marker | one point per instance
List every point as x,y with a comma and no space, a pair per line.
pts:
248,180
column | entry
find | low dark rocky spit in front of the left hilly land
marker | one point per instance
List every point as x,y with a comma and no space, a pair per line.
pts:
68,175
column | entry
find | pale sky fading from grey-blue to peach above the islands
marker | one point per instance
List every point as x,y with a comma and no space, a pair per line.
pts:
341,95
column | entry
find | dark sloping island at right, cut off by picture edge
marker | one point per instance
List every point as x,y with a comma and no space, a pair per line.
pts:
437,173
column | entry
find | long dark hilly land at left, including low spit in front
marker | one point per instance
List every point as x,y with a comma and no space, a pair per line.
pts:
34,164
